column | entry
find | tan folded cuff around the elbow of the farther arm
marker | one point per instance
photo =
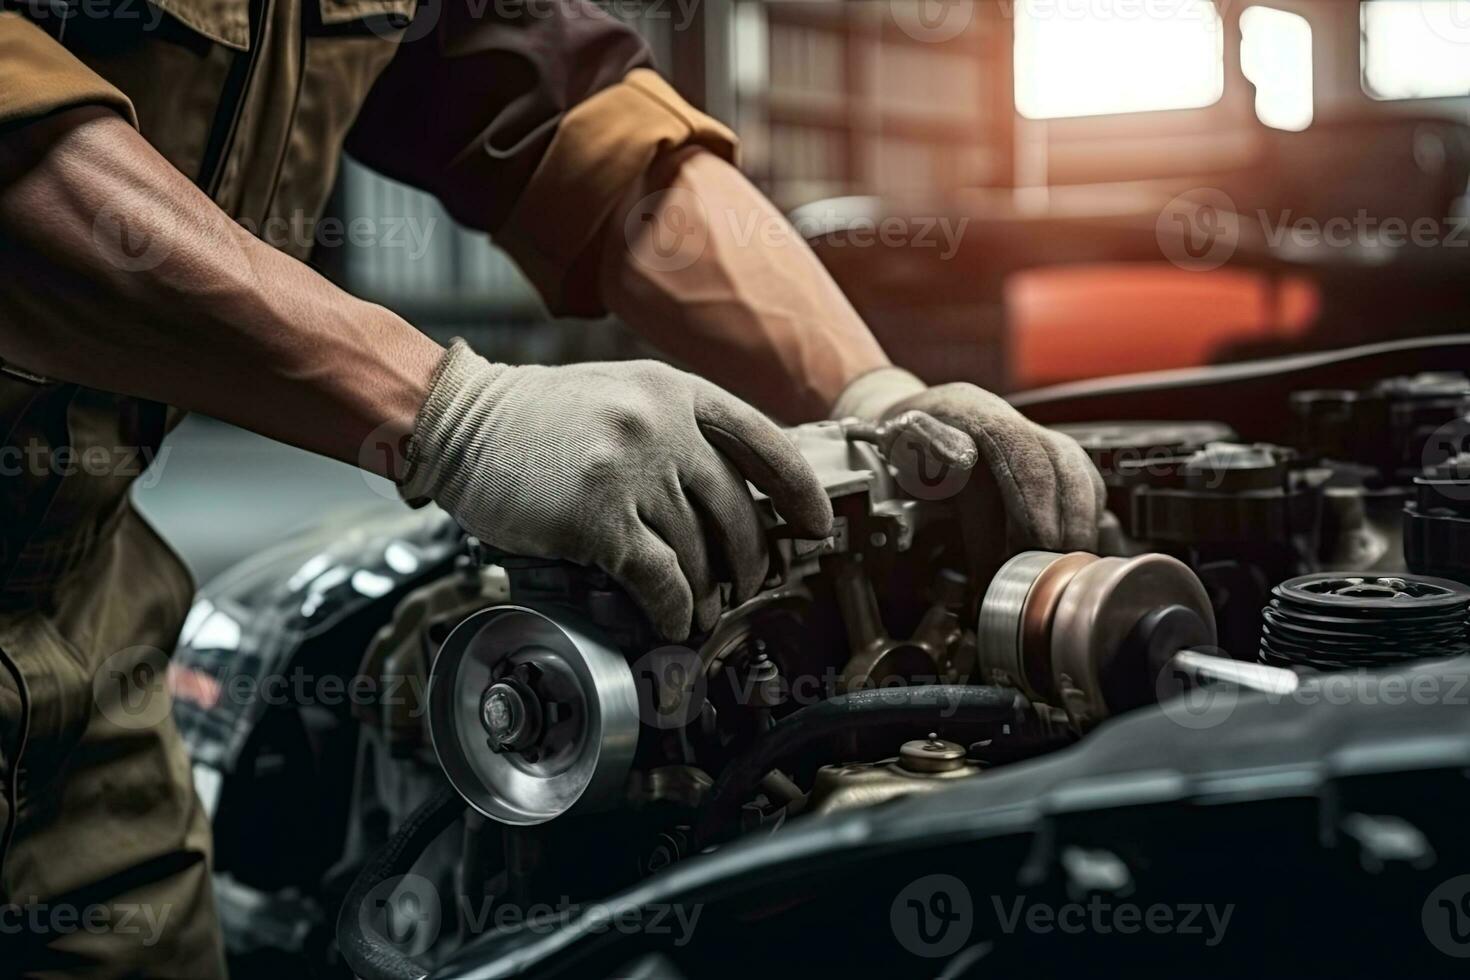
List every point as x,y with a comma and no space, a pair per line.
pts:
600,149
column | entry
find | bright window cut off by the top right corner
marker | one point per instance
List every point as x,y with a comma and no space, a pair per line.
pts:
1416,49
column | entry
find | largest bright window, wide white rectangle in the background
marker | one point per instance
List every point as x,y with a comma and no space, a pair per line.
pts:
1091,58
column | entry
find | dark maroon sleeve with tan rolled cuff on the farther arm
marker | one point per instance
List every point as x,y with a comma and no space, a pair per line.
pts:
528,121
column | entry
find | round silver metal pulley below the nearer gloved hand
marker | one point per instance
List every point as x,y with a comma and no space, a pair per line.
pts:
531,715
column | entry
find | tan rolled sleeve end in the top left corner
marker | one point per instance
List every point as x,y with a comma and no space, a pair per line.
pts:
40,77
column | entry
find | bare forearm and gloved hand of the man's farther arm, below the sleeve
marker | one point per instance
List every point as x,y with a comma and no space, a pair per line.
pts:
705,267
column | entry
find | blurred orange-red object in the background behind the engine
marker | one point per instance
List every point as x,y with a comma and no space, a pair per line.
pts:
1075,323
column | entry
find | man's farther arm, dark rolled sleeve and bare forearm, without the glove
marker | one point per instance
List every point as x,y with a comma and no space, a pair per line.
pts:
551,133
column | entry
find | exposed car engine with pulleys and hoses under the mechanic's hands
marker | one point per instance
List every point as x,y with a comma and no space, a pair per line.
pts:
909,653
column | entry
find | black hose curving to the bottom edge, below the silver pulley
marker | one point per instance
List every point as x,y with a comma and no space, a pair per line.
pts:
368,953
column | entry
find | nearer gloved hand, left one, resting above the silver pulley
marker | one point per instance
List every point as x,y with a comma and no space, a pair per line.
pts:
636,468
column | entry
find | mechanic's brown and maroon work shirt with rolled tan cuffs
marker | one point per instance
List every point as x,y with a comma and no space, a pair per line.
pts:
526,118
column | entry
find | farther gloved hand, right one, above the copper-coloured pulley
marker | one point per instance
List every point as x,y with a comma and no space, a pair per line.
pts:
1052,491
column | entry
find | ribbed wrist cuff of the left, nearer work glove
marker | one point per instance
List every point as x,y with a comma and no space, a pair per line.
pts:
456,400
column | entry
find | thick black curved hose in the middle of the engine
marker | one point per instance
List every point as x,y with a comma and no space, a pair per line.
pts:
927,709
